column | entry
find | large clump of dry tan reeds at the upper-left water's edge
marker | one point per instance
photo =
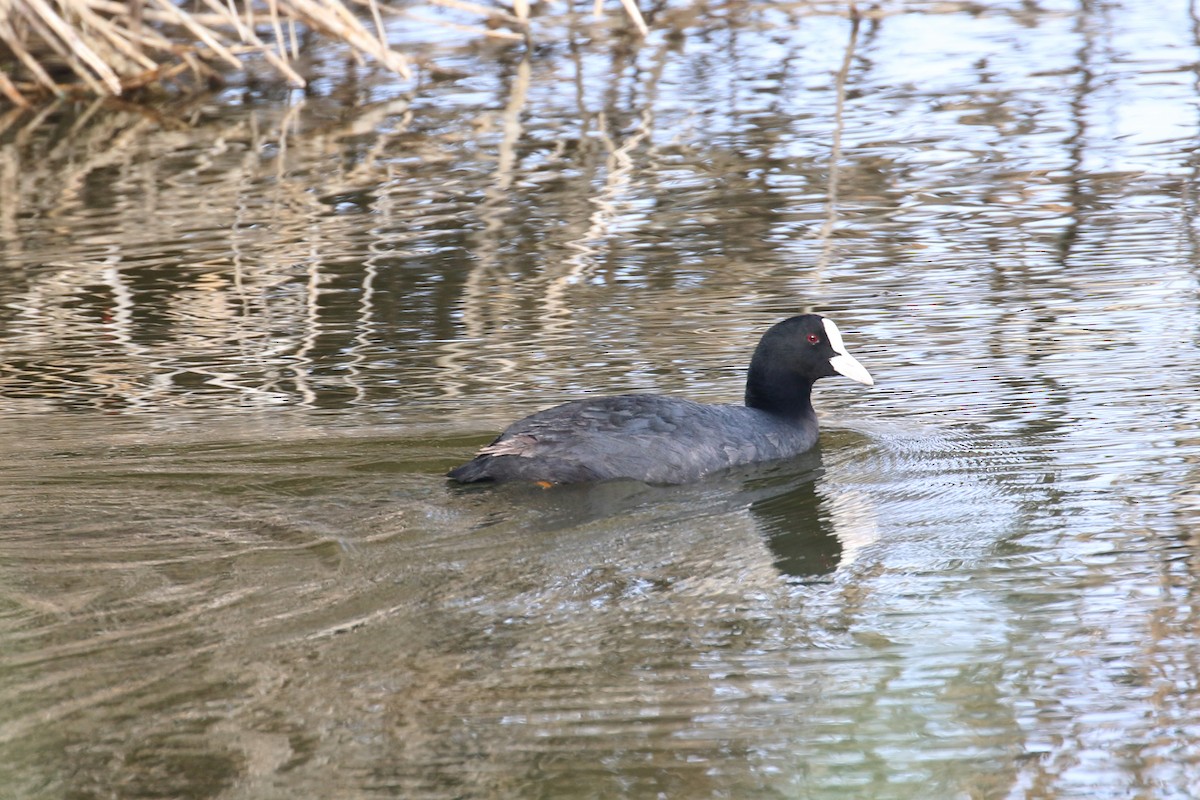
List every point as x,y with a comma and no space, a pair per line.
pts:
110,47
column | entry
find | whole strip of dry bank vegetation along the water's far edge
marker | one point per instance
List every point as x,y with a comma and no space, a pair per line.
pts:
134,49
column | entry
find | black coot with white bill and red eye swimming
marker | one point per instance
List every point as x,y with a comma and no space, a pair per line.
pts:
669,441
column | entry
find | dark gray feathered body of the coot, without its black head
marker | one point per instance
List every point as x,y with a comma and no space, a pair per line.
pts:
644,437
